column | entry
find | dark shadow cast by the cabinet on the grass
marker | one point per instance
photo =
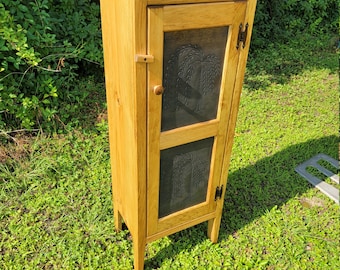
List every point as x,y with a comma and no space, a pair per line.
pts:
251,191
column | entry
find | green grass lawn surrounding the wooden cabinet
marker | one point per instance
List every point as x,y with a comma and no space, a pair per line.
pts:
55,191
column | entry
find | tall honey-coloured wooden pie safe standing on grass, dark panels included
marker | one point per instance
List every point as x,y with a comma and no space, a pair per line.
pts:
173,72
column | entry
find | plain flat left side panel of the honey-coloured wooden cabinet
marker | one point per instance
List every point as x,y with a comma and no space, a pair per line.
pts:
126,106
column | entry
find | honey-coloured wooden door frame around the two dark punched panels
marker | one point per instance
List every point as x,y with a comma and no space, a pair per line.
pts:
182,17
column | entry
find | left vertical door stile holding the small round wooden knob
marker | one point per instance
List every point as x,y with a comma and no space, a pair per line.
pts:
155,74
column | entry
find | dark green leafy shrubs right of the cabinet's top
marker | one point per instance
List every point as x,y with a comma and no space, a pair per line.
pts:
282,21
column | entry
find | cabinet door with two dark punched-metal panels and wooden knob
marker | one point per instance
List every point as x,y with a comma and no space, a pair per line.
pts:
190,88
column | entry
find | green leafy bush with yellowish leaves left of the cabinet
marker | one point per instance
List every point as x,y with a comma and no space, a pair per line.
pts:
42,48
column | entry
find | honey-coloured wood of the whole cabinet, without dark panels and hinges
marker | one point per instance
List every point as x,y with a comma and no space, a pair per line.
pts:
133,36
